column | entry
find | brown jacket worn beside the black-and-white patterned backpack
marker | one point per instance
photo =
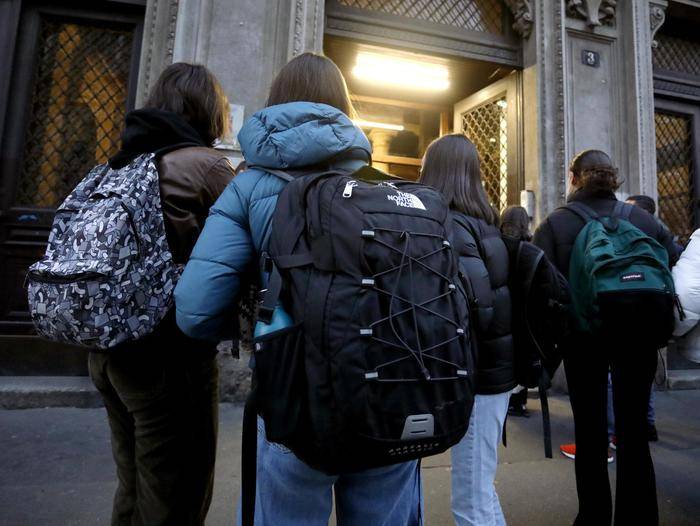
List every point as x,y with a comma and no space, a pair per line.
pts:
191,180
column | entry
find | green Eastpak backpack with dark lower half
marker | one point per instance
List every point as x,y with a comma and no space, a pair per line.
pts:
619,278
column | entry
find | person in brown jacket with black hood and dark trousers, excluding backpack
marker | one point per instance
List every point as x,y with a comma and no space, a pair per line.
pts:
161,391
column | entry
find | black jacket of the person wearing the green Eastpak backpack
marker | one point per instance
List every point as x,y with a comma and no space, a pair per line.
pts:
556,234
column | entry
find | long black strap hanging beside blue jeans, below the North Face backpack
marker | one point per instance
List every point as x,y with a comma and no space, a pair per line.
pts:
249,461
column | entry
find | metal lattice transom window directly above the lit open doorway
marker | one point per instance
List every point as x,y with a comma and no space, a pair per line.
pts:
477,15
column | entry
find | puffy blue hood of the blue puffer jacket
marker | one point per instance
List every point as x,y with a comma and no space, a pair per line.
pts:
300,134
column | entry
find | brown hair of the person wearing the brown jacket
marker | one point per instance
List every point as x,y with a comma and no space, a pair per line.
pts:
193,91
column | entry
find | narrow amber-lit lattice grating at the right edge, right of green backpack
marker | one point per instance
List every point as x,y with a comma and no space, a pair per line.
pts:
675,172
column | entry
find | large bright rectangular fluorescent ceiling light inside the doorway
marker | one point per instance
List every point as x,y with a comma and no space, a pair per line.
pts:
401,72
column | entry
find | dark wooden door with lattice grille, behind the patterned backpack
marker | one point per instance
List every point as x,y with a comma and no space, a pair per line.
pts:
71,73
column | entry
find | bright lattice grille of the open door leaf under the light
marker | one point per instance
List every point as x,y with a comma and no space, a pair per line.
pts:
486,126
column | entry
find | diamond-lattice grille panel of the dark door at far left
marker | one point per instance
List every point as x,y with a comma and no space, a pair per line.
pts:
77,109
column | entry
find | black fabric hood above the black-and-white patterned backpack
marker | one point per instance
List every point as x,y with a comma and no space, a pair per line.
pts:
152,130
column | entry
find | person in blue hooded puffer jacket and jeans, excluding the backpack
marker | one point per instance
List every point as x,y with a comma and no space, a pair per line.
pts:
305,124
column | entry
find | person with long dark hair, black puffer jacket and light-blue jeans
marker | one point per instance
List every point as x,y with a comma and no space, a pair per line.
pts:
451,164
